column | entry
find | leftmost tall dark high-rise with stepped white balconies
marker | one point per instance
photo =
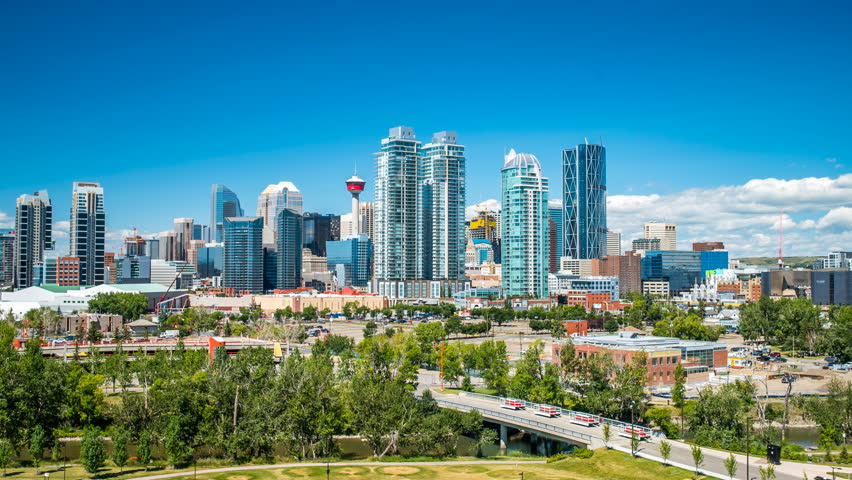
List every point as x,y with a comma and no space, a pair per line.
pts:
33,235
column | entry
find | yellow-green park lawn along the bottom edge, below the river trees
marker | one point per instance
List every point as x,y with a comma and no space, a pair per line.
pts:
604,465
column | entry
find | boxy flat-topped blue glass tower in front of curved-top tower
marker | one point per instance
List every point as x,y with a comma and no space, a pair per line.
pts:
243,256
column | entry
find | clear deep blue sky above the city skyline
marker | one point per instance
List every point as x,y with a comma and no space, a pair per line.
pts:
158,102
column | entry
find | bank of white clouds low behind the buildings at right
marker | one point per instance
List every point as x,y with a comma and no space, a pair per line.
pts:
747,217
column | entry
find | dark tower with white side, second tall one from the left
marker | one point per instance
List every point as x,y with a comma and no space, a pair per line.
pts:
88,231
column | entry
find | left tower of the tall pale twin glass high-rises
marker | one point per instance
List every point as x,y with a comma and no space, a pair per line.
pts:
396,206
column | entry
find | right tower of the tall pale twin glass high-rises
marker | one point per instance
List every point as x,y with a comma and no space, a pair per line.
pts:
440,202
